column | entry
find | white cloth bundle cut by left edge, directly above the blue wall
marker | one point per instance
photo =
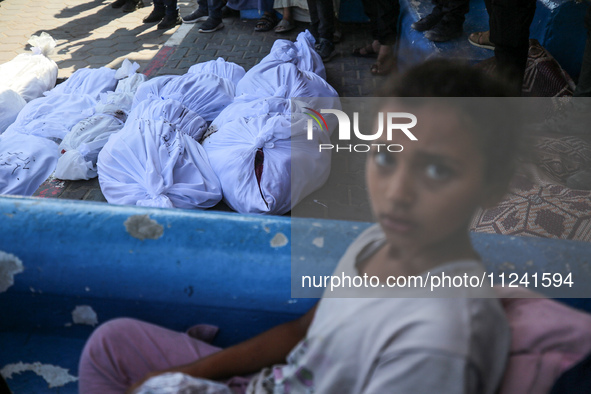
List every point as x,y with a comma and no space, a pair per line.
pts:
25,162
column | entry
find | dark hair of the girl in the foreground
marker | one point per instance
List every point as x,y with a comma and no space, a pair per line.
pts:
482,100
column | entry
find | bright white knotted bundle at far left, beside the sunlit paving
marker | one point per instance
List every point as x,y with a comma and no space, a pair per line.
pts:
31,74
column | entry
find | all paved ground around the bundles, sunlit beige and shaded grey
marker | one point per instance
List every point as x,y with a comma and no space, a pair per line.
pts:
92,34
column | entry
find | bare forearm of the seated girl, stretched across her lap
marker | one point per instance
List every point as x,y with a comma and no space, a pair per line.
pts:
264,350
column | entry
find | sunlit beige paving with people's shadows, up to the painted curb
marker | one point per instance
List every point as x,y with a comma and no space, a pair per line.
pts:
88,33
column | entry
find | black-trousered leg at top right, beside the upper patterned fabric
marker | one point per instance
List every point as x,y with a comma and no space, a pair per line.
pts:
509,22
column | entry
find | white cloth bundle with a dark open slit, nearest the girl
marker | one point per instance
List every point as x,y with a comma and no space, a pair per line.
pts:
292,166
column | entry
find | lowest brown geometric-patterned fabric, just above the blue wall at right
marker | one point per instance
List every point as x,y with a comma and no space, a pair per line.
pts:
540,210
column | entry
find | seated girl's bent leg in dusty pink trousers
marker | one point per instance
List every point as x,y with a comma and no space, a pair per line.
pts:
122,351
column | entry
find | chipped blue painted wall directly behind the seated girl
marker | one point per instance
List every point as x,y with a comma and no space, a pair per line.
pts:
221,268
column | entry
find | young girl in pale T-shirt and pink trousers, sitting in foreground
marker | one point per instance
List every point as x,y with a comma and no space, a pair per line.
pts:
423,199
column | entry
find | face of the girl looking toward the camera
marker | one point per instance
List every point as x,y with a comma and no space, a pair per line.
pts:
424,197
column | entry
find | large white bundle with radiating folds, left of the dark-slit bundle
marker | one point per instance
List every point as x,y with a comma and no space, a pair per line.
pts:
155,160
